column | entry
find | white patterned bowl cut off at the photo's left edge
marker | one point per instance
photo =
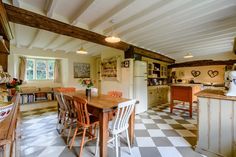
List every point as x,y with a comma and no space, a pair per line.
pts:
5,109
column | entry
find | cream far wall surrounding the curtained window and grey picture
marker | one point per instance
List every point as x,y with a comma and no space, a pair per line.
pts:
67,60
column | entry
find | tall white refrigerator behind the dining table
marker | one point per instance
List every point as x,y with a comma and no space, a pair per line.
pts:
140,86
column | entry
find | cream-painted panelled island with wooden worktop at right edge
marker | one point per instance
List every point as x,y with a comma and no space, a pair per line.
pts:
216,124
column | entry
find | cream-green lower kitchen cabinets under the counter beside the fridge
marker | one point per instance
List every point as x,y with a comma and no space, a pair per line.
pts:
158,95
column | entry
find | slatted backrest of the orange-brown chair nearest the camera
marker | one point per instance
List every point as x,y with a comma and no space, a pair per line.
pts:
81,109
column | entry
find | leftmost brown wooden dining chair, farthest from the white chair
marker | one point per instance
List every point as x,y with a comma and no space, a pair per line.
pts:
62,112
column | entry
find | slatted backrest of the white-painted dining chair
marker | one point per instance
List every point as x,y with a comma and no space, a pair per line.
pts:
123,114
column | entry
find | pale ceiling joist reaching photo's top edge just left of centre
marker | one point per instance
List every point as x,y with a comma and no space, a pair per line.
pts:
81,10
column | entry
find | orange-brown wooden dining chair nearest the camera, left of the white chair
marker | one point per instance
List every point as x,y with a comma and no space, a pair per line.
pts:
87,122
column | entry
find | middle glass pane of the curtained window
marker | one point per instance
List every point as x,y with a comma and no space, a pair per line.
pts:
41,70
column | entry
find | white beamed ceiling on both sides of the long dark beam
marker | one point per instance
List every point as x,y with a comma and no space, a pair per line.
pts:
170,27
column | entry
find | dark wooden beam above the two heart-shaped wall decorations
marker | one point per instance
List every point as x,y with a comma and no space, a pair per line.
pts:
202,63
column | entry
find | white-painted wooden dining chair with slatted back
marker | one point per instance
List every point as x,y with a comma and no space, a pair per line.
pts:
121,123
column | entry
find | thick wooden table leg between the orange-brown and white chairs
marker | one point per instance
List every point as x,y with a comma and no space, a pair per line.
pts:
103,133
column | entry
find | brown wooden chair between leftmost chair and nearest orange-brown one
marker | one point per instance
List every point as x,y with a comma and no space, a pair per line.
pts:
72,115
